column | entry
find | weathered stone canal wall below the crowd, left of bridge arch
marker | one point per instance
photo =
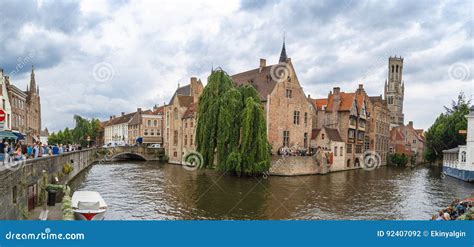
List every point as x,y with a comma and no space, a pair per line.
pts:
30,173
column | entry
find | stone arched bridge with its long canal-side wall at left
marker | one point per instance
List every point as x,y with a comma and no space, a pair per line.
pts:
21,183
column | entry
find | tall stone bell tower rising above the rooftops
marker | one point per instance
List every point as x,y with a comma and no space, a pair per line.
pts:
395,90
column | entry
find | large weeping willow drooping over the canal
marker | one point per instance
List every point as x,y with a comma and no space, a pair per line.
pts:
231,130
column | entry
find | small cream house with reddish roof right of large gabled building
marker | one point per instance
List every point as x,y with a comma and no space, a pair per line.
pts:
330,140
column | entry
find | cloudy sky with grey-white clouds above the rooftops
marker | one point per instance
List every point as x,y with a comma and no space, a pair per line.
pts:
99,58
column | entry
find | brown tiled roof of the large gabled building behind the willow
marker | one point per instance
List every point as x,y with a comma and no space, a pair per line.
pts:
260,79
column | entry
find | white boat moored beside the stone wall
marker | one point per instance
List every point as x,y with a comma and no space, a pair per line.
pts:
88,205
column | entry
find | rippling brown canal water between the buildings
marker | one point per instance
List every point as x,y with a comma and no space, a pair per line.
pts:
150,190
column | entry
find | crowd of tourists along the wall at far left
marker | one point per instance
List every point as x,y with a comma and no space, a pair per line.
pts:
16,151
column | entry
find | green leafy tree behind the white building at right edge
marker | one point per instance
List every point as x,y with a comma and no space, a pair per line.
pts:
444,133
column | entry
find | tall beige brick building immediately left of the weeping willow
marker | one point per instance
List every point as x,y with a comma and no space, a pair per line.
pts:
180,120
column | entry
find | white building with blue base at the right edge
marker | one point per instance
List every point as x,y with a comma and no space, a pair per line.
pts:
459,162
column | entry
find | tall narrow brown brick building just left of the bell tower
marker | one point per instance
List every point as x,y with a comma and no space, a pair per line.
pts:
379,127
